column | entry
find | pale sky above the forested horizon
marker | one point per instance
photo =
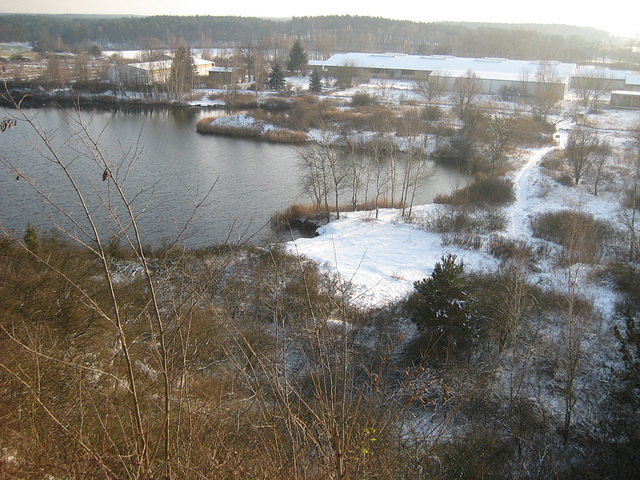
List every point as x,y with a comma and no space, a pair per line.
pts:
610,17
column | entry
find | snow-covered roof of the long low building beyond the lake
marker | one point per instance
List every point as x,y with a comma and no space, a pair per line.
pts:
488,67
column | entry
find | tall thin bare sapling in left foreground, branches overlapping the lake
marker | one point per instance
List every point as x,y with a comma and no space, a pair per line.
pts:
141,442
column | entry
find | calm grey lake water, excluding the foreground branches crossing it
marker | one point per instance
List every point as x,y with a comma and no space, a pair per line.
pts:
173,166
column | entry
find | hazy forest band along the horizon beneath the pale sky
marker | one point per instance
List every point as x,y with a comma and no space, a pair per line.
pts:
321,36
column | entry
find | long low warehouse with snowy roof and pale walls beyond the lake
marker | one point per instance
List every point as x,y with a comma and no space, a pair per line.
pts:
495,74
